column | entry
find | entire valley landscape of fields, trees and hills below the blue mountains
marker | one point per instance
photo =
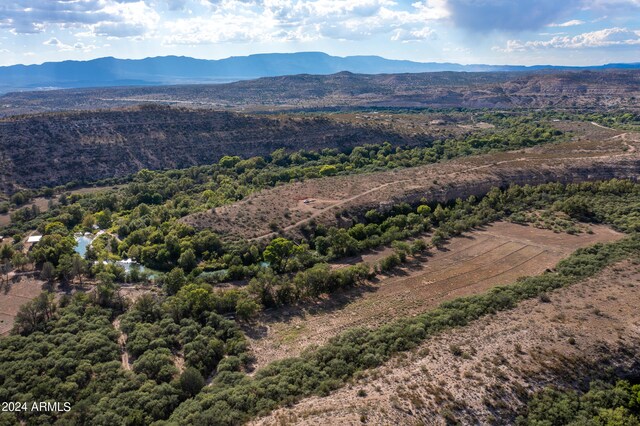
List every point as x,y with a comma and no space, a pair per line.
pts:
320,249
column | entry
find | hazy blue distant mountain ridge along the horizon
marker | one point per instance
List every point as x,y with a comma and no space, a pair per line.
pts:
109,71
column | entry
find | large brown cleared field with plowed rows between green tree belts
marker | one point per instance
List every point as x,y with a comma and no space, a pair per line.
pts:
469,265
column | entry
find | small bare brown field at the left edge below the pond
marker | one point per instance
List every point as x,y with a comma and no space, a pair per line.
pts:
19,291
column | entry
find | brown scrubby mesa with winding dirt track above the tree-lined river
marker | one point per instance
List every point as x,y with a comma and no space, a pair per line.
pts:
595,153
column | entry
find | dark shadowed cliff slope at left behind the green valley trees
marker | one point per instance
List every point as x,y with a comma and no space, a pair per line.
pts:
53,149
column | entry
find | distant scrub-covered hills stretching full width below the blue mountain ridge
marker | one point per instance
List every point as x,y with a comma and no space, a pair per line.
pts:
561,89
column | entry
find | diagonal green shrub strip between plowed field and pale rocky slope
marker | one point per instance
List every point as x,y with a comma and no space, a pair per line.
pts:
233,398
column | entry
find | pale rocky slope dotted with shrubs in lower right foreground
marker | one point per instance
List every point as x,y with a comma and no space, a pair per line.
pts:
582,332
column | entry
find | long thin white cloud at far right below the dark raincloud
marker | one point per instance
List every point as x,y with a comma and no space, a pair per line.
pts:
602,38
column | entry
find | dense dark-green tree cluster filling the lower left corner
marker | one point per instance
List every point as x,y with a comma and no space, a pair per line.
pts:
71,354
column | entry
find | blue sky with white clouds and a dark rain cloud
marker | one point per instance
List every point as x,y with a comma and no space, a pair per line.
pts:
520,32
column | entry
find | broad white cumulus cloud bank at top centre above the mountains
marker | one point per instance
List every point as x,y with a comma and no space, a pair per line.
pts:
306,20
